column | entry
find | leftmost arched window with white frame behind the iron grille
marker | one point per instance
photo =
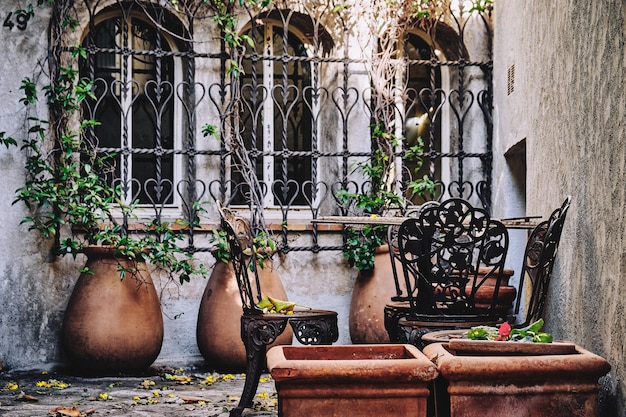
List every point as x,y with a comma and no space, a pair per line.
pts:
134,77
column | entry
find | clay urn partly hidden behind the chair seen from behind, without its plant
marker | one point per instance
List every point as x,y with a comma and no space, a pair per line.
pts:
372,291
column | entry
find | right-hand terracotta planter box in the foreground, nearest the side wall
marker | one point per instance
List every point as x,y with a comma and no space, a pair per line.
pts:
487,381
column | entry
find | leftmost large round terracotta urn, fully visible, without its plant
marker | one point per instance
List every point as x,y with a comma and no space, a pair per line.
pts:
112,325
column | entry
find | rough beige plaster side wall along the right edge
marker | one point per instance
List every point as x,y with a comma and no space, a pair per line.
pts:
568,103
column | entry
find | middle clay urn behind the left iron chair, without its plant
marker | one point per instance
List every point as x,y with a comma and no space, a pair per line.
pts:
219,318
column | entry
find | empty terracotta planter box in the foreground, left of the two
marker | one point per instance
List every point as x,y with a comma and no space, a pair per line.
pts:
351,380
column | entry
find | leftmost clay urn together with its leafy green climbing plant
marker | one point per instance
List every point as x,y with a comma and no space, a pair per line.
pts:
113,321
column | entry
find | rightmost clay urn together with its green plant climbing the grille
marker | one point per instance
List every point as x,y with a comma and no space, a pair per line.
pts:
366,245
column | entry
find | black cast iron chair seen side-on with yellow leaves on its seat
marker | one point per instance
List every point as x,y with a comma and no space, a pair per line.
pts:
259,329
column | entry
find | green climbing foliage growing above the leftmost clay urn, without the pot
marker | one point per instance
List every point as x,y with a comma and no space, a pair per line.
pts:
69,198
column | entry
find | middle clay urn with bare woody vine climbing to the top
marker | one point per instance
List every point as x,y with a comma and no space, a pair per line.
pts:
218,328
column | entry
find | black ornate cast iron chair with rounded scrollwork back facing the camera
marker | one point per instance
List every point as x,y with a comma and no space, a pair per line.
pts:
441,253
